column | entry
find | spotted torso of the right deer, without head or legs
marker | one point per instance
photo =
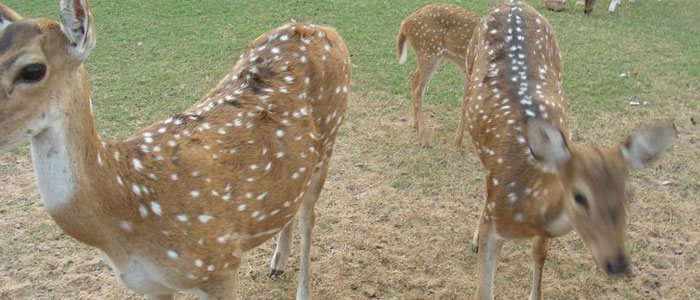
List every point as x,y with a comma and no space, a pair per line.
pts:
515,76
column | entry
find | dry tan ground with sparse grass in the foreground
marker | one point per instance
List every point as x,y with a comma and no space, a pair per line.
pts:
395,222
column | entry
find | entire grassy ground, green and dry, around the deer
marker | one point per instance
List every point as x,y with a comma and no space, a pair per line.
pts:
395,221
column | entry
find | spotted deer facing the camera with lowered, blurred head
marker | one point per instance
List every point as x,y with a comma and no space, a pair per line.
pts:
537,184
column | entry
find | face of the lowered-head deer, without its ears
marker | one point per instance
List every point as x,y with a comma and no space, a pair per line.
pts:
595,202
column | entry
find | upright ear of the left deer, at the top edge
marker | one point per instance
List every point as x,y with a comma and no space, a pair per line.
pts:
77,27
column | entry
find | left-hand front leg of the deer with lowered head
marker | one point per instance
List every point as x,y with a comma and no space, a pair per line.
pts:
489,249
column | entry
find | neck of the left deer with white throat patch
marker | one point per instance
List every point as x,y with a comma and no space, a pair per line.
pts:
67,169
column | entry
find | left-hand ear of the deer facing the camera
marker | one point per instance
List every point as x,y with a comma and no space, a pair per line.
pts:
547,144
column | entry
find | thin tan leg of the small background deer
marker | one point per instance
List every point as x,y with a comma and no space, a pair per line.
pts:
426,69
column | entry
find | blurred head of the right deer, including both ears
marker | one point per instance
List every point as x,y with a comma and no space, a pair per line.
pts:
595,185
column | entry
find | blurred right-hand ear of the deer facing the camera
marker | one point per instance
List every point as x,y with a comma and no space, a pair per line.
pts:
646,144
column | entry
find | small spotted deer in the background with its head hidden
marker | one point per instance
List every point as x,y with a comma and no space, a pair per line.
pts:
436,32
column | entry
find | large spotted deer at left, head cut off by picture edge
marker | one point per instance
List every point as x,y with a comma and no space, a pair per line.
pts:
174,207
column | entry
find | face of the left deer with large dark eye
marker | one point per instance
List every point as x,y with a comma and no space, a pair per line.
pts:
40,71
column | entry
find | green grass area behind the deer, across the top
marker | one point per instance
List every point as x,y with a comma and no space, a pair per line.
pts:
154,58
